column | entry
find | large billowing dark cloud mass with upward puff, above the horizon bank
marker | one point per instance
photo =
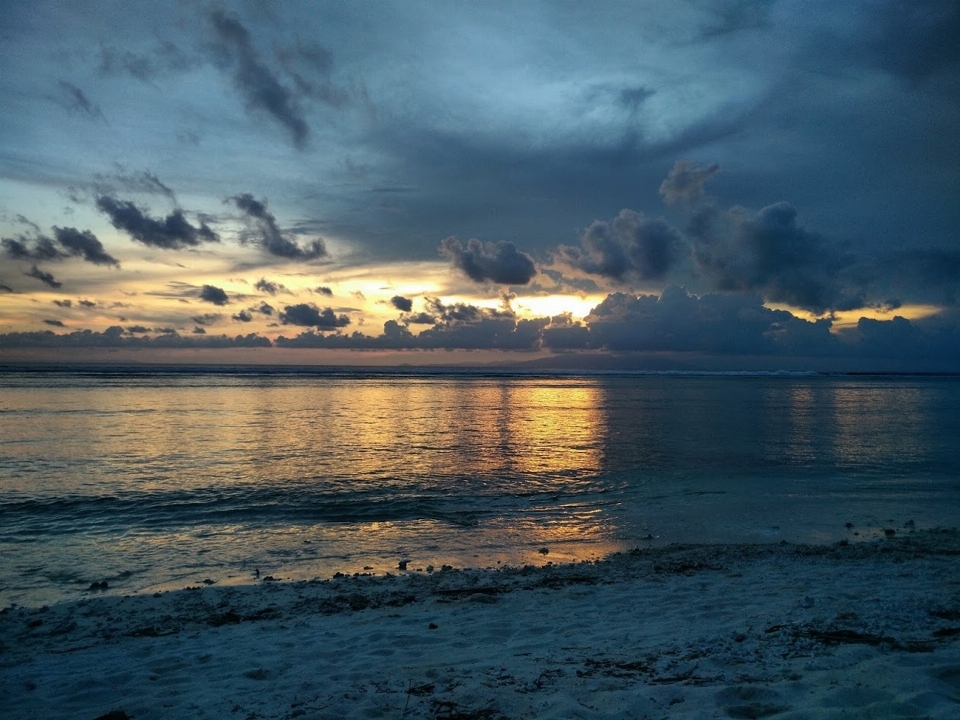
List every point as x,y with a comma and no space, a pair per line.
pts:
766,252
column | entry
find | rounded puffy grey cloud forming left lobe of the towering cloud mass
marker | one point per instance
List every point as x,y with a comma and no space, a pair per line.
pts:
632,245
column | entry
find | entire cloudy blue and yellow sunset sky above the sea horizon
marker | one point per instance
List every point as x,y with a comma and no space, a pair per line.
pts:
699,183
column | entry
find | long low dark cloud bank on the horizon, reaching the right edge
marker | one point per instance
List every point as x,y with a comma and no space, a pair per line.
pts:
734,325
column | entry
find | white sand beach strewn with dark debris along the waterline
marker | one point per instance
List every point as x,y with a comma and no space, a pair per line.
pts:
868,630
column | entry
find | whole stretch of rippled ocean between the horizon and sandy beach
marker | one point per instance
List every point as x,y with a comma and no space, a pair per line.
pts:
147,479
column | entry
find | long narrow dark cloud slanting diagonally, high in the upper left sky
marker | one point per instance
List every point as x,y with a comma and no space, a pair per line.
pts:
259,85
